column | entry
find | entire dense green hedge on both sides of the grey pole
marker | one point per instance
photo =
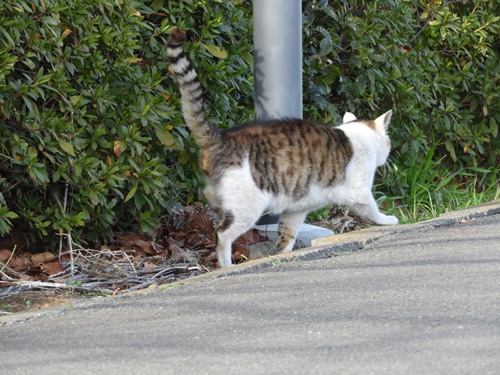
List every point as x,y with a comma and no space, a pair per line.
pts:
92,137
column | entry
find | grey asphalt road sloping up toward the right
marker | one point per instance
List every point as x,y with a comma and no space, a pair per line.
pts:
425,301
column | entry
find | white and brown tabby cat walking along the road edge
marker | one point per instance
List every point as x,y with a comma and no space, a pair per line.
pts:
287,167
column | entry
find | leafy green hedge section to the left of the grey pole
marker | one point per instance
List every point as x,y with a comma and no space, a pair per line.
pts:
91,137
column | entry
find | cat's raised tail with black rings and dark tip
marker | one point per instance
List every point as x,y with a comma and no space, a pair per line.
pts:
191,91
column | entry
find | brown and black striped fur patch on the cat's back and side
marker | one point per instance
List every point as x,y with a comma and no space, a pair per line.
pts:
288,156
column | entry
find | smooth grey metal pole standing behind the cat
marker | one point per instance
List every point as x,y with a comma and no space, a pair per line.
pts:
277,63
